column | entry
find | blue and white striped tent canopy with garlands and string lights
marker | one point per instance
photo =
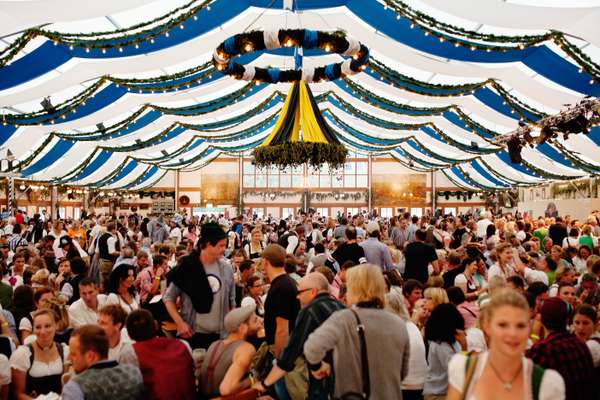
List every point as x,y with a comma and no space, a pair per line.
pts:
445,78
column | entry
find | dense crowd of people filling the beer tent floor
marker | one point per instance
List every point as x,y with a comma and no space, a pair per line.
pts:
474,306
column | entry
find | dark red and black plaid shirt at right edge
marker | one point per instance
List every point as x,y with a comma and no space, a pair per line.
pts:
565,353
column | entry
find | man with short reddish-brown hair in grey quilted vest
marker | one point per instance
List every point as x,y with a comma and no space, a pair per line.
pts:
97,377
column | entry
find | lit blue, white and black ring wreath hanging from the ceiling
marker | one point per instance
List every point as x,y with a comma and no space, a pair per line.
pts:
336,42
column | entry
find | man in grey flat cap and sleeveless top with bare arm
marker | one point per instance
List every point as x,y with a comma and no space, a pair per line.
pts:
227,362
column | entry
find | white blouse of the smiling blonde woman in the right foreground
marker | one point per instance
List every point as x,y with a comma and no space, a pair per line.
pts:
552,386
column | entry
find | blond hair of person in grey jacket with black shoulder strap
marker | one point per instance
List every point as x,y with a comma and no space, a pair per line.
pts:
365,283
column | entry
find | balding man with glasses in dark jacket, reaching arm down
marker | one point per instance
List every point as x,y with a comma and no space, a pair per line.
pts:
318,305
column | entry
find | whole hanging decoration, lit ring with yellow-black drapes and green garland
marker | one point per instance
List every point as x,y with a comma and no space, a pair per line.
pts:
301,134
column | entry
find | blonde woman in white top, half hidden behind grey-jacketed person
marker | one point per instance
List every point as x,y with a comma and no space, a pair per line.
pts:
412,385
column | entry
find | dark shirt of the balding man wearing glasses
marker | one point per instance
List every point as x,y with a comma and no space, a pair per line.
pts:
309,319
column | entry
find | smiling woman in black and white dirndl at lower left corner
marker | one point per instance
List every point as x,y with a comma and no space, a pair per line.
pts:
37,367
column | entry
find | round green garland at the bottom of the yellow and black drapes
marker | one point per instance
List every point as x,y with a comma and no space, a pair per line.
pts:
297,153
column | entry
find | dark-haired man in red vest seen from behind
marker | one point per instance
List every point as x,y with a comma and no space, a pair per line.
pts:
162,361
